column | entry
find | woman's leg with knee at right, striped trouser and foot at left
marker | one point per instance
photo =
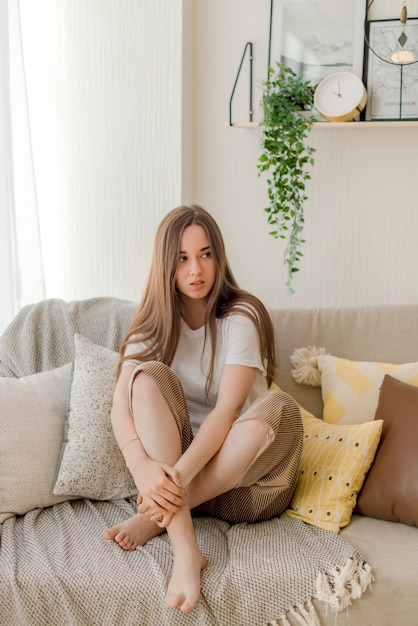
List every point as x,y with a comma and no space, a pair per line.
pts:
272,422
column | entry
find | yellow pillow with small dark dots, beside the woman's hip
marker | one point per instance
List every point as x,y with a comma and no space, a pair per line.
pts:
333,467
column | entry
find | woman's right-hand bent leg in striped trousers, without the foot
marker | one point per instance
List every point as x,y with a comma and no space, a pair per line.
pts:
264,487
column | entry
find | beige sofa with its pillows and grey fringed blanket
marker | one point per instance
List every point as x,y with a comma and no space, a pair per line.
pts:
354,373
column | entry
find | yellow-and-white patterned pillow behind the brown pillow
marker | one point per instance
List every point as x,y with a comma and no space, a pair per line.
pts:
350,389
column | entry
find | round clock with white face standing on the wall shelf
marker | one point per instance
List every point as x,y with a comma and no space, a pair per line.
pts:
340,97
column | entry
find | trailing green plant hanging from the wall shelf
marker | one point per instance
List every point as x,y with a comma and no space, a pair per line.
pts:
286,101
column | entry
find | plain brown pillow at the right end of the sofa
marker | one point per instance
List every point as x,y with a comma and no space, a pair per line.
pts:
390,491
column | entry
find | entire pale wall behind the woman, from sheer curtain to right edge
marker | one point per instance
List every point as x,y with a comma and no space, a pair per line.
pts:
134,121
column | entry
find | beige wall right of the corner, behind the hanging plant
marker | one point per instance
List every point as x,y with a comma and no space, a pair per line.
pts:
362,214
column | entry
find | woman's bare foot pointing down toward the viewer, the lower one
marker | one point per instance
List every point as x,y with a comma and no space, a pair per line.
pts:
184,587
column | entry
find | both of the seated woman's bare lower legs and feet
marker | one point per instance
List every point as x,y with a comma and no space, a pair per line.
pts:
244,445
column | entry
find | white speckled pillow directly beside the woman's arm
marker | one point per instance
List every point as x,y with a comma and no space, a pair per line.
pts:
91,464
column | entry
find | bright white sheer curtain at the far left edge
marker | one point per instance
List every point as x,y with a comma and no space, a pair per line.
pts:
21,265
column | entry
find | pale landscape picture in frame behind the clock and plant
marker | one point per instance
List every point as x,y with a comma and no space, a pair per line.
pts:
317,37
